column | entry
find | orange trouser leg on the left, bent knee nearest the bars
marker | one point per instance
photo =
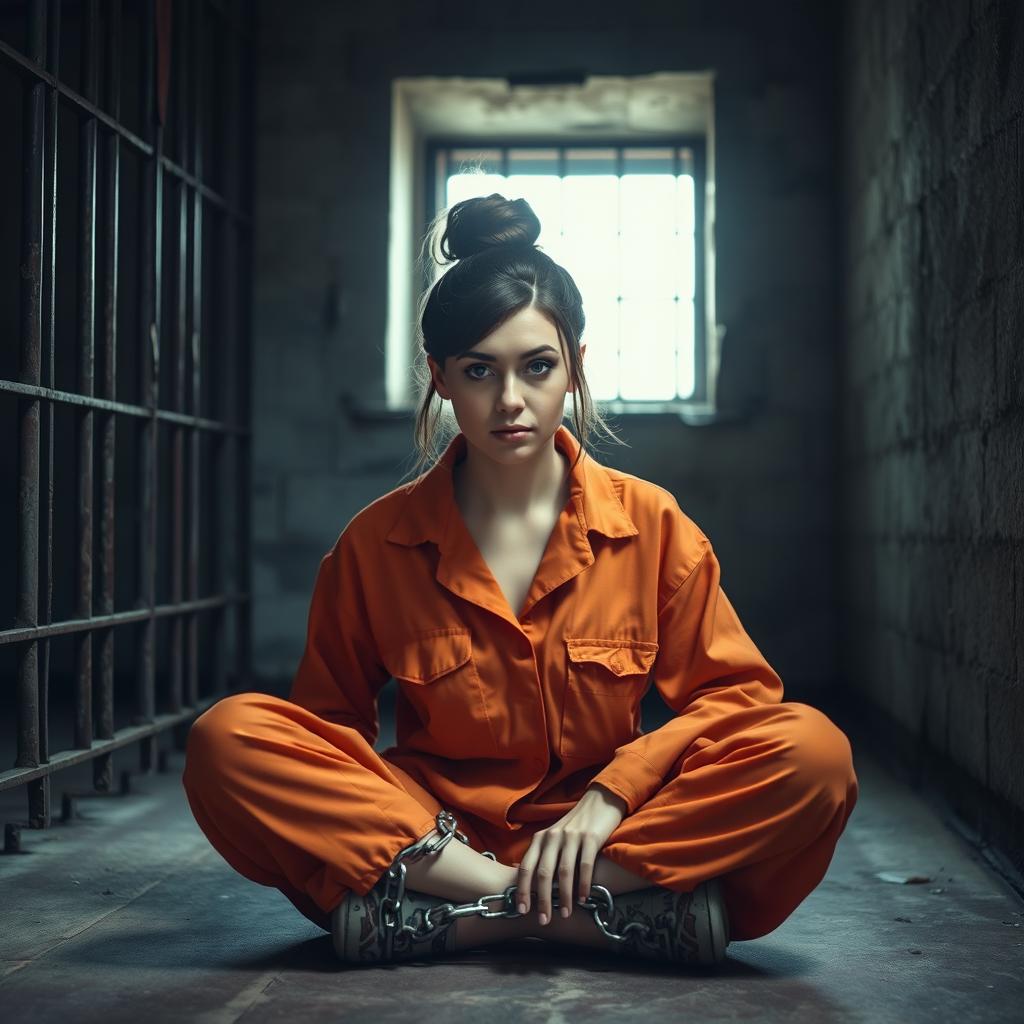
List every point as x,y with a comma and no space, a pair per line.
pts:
295,802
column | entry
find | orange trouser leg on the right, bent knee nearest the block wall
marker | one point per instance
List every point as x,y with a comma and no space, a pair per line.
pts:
760,802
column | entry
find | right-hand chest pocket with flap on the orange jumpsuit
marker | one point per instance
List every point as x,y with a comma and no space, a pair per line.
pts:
606,680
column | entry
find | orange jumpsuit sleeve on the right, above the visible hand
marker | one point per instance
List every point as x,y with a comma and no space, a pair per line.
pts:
707,668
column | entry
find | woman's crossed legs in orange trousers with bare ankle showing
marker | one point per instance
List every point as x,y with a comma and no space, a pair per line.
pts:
308,806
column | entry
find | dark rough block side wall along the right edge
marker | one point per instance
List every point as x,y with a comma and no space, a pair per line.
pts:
933,382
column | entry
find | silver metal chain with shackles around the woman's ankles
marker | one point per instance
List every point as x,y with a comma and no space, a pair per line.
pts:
436,918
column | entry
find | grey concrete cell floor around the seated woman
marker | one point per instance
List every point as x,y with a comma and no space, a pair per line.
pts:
126,912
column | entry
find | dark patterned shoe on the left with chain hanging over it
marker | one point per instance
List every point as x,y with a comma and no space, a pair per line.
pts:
361,937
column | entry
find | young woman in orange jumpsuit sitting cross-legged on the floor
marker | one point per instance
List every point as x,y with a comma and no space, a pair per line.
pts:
525,598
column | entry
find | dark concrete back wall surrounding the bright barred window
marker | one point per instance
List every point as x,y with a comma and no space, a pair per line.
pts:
761,488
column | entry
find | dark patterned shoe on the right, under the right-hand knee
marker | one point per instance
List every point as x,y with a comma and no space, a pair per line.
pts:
661,924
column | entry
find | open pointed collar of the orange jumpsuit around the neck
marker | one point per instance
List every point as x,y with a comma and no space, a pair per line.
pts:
431,514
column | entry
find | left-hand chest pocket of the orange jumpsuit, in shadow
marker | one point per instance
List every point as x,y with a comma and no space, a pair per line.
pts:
441,708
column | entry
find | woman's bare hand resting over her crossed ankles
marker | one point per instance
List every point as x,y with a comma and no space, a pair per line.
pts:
554,851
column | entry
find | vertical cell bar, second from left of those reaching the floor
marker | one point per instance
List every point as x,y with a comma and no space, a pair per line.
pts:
103,775
